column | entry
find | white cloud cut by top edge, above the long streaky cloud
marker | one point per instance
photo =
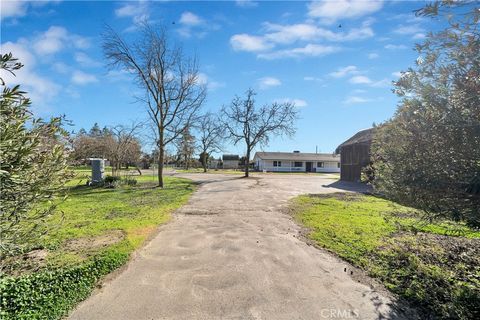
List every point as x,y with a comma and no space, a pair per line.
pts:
330,11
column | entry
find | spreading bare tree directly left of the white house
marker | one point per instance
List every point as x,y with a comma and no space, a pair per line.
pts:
254,126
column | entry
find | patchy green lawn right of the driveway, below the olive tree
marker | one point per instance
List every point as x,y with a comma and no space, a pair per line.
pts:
436,266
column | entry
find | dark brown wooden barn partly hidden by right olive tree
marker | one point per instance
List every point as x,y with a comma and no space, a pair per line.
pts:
355,155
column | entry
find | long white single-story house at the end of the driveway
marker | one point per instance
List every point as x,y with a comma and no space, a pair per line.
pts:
296,162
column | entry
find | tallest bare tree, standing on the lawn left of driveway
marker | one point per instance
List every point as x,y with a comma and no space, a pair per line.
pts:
172,91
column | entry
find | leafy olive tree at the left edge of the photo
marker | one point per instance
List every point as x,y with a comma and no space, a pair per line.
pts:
33,165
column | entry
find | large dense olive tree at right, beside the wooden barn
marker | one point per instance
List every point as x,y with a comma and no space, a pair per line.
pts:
428,154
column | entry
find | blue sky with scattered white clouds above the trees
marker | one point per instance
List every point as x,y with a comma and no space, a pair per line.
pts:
335,59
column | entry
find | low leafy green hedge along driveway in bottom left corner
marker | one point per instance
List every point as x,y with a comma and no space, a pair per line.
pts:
51,294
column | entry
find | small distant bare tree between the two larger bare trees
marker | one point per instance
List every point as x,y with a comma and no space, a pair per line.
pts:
210,139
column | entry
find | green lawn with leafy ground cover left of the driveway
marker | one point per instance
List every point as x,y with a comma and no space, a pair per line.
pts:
92,233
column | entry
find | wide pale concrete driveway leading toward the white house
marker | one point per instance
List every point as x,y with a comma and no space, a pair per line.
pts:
231,253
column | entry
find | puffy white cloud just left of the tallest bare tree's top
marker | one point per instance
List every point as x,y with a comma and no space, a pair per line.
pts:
56,39
